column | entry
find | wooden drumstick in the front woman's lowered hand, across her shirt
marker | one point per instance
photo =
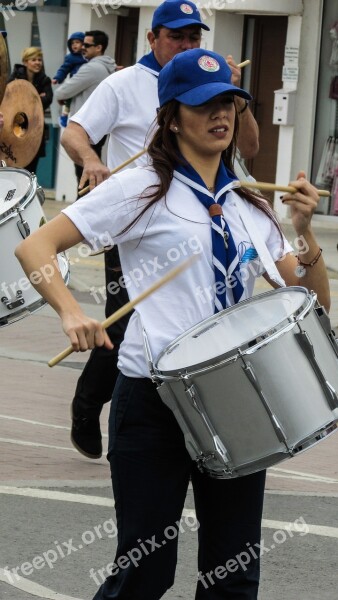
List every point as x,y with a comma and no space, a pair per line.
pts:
130,305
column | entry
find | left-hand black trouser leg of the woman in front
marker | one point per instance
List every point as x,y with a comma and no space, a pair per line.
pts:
150,473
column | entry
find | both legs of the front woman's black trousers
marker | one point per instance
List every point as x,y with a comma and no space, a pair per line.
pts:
150,470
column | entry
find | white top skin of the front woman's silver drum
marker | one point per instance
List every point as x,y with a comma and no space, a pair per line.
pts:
237,328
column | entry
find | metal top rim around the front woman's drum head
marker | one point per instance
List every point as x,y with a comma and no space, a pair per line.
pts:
250,345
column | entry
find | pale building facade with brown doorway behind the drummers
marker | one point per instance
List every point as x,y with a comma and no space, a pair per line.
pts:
290,44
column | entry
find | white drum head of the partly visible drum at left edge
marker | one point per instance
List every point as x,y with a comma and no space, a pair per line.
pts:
15,187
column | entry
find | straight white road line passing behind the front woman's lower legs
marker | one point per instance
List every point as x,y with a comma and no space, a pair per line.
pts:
320,530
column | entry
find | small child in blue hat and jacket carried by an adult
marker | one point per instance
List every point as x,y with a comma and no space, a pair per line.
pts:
71,64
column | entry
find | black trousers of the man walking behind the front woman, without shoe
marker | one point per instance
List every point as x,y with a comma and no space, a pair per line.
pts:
97,380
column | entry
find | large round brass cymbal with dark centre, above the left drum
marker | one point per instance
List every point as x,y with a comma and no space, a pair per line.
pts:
23,128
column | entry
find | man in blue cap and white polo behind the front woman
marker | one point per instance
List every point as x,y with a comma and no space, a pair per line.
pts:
124,106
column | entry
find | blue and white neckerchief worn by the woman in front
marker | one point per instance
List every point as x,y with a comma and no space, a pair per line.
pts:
225,258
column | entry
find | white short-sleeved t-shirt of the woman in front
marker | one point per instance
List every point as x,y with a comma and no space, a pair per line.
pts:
165,235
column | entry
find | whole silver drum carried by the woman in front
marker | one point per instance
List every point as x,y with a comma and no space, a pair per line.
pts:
253,384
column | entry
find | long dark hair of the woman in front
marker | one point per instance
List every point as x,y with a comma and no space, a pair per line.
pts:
164,153
